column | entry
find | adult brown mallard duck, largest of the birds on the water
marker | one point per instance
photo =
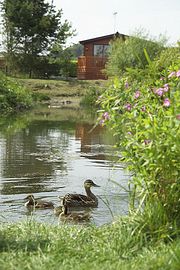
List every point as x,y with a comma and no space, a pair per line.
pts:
79,200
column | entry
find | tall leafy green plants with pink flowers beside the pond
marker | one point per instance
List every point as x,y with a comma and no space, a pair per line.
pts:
143,110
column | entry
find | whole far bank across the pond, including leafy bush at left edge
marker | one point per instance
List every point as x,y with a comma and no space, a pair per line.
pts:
20,94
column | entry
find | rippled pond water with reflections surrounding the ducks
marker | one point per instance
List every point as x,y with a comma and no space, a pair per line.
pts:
50,152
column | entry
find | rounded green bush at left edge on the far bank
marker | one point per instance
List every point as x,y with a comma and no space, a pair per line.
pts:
13,97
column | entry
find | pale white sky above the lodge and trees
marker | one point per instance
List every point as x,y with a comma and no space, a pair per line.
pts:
94,18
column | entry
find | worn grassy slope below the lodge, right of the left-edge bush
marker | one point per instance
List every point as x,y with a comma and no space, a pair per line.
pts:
56,92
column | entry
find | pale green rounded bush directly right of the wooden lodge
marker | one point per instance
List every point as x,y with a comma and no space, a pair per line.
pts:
131,53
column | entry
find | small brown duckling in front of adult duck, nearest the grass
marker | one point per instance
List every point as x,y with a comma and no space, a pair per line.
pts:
73,216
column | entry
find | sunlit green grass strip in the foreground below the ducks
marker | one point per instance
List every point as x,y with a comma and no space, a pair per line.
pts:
116,246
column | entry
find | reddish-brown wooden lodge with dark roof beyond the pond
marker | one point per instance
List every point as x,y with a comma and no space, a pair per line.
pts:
92,63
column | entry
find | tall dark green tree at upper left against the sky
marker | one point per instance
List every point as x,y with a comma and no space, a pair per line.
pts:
31,27
